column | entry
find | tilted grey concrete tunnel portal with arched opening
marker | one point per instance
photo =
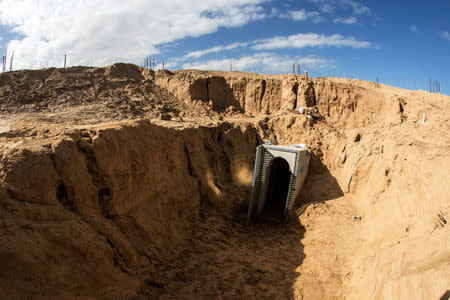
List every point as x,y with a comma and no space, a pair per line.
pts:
278,175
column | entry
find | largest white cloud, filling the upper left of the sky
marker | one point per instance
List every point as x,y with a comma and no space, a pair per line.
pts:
96,31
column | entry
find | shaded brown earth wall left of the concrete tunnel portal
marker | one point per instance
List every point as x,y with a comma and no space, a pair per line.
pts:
94,213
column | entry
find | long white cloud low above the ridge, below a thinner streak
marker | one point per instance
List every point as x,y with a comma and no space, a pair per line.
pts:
261,62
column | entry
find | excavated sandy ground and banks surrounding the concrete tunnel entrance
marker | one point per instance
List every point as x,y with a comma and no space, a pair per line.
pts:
120,182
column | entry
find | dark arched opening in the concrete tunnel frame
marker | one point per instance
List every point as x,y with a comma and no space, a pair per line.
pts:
278,187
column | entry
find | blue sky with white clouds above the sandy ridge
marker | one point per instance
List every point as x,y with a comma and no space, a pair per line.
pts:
403,43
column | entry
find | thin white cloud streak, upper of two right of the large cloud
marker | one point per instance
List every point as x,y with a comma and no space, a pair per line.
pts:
302,40
